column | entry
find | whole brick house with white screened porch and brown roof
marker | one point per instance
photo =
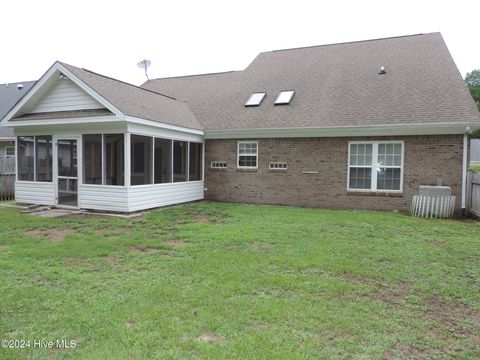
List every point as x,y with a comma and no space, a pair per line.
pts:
356,125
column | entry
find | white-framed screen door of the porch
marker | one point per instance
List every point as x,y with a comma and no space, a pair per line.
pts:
67,179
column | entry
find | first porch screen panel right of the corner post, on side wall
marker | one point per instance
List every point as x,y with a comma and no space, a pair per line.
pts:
141,157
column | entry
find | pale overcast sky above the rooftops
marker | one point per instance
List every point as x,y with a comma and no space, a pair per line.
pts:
189,37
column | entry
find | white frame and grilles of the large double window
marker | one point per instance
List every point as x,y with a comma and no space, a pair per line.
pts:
375,166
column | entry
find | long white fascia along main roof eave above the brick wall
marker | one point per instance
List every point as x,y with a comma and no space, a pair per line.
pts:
343,131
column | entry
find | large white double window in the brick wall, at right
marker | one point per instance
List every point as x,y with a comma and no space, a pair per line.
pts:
375,166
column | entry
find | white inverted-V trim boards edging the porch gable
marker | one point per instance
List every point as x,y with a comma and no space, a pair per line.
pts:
41,82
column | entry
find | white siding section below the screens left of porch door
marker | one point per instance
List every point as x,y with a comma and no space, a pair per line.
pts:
41,193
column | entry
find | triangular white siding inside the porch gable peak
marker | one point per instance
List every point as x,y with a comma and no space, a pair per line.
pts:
65,96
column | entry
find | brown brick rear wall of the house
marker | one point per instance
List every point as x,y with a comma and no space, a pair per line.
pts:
426,159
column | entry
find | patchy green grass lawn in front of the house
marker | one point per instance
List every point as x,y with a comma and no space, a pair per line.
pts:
216,281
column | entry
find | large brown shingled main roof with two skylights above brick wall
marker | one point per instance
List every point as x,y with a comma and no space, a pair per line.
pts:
336,85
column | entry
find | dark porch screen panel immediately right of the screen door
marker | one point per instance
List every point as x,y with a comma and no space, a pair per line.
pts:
92,159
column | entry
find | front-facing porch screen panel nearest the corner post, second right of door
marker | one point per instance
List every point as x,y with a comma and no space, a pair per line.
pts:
114,159
